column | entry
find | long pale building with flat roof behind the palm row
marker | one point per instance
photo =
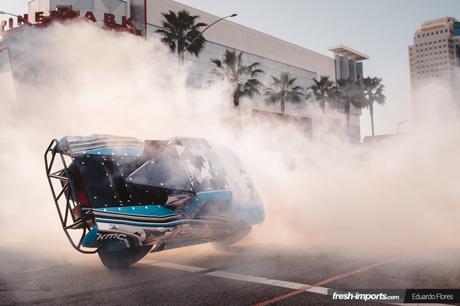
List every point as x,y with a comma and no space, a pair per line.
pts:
274,55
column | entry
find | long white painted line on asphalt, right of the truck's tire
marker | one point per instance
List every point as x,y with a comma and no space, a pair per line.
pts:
248,278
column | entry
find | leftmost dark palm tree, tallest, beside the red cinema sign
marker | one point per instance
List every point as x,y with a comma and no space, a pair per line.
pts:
178,30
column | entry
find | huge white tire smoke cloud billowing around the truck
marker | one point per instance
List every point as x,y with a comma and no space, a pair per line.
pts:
398,194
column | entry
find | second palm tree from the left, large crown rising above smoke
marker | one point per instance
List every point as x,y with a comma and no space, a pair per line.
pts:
242,77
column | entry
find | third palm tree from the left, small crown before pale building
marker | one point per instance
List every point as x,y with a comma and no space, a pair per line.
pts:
284,89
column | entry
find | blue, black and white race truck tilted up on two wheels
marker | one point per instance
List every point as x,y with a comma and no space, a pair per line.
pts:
123,198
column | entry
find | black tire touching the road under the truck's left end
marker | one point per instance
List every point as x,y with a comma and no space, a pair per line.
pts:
123,259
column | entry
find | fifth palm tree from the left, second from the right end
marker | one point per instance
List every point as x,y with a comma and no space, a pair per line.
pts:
349,93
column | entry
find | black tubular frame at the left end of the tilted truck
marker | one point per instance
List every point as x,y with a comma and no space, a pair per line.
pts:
63,199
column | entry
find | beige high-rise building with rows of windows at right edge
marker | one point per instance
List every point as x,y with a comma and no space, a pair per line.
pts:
435,53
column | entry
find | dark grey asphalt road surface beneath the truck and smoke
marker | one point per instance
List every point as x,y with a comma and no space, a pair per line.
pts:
203,276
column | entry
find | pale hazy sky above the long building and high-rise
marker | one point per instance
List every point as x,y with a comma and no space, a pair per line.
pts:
380,28
